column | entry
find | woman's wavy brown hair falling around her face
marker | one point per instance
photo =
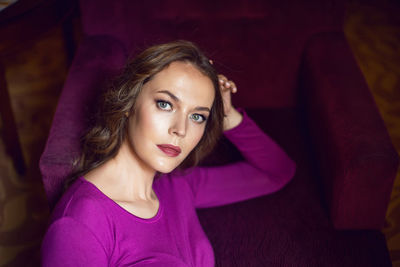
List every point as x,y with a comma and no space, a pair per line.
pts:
103,140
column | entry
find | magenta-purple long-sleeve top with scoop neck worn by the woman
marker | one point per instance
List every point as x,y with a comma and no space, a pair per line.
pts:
89,229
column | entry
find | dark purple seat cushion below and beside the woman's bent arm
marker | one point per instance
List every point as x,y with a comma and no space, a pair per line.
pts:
290,227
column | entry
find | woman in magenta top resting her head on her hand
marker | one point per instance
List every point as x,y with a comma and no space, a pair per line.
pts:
134,201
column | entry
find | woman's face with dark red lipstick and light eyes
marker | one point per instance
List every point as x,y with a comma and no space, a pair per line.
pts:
170,116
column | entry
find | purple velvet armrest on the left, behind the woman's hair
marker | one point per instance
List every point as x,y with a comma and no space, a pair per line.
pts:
98,58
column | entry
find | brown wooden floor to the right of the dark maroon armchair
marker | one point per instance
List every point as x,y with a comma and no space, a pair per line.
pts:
374,36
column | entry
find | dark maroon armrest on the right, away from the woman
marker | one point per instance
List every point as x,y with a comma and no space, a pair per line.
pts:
356,158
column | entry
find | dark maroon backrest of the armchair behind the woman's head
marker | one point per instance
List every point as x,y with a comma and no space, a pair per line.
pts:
257,43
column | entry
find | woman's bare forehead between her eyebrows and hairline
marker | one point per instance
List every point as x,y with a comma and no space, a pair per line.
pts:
184,81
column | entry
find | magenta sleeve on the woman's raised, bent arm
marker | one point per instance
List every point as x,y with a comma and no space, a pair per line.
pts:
266,169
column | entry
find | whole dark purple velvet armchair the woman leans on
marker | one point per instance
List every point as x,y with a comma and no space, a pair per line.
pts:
298,79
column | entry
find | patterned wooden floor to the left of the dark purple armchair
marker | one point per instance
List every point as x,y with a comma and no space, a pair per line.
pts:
35,78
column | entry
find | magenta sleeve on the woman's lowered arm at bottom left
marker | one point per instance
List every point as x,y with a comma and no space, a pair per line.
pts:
70,243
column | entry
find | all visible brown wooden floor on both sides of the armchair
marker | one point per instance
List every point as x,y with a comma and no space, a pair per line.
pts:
35,78
